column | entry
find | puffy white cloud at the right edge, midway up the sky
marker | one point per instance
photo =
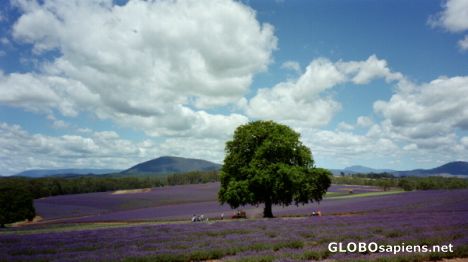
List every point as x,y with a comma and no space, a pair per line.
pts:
429,109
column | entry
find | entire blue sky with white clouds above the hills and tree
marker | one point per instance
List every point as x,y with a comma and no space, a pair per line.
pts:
97,84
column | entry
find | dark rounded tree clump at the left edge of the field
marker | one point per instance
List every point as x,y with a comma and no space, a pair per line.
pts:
16,203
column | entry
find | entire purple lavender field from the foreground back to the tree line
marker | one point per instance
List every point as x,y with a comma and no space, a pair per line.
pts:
437,217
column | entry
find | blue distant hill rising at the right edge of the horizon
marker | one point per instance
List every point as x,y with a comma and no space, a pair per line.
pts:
458,168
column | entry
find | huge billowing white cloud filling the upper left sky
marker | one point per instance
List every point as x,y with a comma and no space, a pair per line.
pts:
154,65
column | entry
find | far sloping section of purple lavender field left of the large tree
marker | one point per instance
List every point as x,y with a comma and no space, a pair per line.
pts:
107,203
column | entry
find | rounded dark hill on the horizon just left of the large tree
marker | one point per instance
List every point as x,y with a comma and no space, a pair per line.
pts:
170,164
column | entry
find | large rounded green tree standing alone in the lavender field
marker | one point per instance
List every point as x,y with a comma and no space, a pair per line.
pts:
267,163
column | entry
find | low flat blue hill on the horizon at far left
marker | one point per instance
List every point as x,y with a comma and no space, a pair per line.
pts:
68,171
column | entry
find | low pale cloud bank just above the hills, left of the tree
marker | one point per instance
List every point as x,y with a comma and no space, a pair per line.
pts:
21,150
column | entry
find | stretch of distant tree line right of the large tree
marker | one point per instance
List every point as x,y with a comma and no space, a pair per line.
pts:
387,181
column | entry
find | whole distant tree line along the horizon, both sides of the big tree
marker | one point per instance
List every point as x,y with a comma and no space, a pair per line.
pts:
52,186
